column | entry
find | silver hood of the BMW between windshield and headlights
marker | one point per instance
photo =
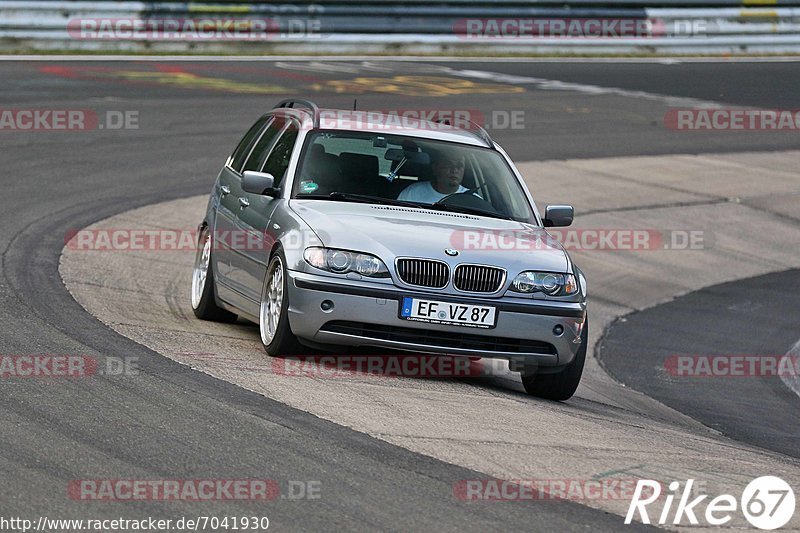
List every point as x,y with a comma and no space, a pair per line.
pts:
395,231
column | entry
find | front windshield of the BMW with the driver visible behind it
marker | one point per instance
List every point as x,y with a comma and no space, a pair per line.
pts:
380,168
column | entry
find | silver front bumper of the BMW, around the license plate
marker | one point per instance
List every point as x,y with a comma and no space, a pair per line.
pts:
366,314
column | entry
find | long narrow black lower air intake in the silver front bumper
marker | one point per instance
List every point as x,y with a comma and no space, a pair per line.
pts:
441,339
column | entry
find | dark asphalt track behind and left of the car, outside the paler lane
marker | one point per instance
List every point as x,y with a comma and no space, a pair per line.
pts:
174,423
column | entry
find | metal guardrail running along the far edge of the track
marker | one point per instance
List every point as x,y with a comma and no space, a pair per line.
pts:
413,26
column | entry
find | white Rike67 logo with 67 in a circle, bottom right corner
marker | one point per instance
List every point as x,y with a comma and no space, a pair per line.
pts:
767,503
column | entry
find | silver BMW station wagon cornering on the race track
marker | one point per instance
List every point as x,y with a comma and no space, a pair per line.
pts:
333,229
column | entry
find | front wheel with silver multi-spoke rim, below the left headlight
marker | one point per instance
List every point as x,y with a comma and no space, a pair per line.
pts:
273,316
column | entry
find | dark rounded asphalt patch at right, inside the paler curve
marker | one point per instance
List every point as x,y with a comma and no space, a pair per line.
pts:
758,316
